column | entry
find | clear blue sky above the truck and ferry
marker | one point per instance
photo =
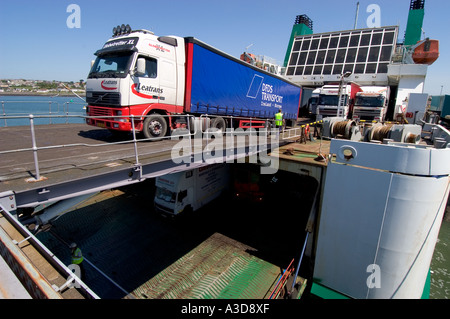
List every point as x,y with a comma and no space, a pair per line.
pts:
35,42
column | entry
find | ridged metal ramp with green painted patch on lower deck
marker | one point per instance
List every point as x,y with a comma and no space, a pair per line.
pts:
219,268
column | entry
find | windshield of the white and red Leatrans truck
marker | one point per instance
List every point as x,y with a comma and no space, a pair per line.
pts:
115,65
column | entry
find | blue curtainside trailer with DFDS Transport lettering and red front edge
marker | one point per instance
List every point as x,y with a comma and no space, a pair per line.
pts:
219,84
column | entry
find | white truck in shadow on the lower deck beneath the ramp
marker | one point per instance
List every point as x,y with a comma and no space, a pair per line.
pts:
188,191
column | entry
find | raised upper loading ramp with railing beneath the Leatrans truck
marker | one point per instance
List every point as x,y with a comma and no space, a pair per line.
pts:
68,160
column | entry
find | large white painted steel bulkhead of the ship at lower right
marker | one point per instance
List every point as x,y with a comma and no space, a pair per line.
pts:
380,219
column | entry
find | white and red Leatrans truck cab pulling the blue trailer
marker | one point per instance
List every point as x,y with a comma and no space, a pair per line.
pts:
135,69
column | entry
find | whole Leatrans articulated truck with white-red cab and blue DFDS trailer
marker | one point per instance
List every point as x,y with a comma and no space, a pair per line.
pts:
157,84
